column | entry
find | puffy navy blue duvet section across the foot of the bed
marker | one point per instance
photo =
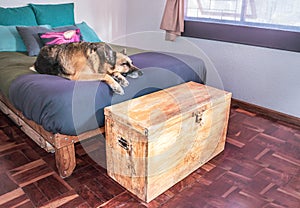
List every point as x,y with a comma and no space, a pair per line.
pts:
73,107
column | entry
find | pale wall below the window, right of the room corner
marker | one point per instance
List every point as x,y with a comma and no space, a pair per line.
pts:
265,77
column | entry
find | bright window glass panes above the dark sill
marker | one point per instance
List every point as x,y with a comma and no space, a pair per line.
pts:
275,14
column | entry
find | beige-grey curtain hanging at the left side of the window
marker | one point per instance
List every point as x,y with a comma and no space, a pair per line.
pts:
173,19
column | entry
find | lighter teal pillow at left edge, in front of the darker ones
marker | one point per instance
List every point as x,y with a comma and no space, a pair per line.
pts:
10,39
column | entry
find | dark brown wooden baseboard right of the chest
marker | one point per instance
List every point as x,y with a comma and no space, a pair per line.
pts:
271,114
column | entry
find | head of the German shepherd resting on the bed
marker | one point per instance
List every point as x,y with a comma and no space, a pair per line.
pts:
125,66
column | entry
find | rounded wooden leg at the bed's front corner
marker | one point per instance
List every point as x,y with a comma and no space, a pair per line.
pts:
65,160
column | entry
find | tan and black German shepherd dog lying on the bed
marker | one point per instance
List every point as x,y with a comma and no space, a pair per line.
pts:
87,61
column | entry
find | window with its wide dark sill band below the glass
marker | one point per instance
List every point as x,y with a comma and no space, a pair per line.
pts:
268,23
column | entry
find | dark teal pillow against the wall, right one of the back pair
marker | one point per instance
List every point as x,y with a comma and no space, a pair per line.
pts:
54,14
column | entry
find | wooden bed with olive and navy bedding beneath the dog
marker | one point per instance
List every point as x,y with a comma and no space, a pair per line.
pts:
56,113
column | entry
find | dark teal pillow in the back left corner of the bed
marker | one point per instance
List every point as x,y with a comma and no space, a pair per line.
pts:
17,16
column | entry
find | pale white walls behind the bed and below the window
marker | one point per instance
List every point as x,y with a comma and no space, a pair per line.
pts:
265,77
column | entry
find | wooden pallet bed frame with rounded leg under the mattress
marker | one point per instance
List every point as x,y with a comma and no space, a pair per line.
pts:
60,144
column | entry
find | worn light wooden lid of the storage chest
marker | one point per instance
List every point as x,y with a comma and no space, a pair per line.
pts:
155,108
